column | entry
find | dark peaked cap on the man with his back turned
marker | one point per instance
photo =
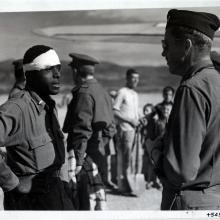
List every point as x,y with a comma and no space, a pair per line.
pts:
82,59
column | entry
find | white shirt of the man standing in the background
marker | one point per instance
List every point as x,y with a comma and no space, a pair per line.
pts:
127,103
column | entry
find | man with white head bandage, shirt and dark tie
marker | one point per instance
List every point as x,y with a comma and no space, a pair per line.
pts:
30,130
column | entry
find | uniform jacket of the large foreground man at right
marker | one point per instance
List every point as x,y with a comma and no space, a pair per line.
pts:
192,144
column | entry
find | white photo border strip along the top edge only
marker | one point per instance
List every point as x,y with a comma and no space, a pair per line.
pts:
54,5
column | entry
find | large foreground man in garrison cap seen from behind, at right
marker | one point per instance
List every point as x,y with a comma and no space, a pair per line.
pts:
188,157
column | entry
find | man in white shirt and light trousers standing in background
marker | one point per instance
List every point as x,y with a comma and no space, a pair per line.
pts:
126,112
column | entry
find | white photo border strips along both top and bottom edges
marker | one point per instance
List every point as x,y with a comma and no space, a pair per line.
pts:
68,5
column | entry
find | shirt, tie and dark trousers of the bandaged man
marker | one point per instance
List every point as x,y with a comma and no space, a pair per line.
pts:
35,152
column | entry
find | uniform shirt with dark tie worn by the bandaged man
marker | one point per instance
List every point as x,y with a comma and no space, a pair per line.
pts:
31,133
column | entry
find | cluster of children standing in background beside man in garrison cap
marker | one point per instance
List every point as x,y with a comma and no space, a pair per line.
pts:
153,127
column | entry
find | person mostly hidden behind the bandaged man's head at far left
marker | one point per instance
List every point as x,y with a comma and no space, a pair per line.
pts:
19,77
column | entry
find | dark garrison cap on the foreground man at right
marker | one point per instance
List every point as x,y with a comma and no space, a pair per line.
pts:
203,22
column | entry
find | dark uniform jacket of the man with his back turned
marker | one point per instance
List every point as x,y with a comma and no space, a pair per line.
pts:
89,118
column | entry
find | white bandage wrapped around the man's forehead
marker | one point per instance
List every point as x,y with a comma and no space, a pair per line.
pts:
43,61
